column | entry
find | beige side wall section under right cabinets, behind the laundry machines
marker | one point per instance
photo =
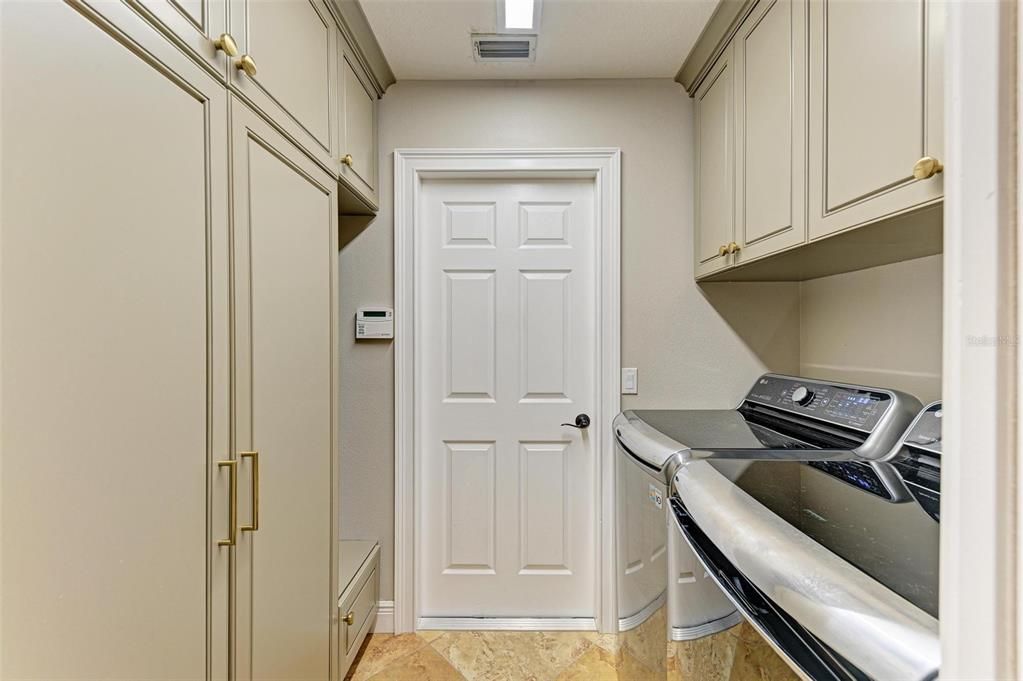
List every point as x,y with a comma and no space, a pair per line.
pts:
880,327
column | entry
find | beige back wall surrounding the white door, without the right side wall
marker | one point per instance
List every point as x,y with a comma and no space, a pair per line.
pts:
688,354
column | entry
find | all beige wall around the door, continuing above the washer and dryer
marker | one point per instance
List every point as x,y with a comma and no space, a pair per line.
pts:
695,346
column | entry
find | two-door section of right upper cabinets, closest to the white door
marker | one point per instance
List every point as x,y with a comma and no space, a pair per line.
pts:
751,142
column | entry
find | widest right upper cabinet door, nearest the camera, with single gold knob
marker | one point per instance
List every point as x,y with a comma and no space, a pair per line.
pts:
876,109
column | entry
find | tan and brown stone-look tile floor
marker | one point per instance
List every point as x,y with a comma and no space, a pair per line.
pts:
738,655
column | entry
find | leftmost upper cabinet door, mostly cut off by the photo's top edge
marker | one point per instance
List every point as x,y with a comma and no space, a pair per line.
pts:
197,24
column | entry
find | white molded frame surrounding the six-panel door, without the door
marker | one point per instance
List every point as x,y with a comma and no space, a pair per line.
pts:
411,168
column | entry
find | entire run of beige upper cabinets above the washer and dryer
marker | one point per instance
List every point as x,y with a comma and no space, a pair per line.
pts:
835,111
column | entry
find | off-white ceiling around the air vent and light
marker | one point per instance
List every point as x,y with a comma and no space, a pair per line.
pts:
430,39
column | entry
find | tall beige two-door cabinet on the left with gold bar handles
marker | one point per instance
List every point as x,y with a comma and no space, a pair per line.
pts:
169,333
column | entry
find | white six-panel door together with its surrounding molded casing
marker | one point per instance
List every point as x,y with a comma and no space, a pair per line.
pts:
507,327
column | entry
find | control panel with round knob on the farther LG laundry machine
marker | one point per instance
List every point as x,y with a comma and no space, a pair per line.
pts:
852,406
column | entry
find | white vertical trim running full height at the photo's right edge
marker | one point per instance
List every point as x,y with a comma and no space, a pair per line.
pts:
980,556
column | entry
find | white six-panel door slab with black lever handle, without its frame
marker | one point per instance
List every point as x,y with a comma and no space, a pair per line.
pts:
506,308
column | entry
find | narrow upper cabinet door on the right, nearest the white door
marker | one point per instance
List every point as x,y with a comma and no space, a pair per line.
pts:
716,165
